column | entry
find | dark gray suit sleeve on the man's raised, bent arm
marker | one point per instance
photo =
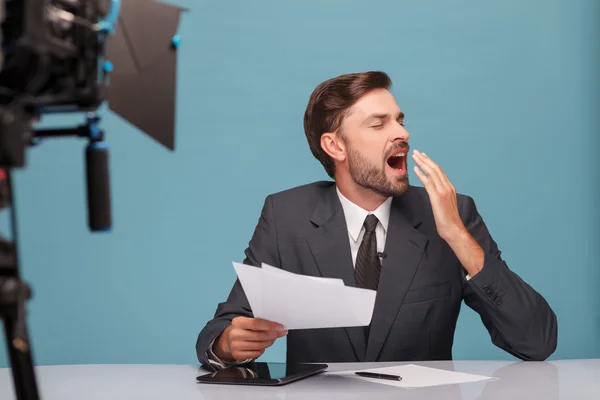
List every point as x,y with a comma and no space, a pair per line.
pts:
518,319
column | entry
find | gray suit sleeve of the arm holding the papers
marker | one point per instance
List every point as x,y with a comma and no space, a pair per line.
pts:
262,248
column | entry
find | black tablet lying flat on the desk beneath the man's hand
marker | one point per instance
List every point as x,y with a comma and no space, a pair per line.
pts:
262,374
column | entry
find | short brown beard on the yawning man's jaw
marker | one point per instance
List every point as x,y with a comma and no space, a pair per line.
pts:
373,178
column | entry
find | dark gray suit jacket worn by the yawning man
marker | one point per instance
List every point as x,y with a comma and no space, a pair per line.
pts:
422,284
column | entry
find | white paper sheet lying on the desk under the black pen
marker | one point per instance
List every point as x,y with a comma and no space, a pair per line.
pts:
415,376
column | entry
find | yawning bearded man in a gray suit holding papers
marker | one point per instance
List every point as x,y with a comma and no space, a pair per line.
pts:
424,250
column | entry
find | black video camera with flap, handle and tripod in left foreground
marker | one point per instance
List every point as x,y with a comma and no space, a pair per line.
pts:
57,56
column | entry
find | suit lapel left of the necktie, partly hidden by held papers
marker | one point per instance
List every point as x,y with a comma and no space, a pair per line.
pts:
330,248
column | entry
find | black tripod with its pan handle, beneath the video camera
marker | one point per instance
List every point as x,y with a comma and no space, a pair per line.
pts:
14,292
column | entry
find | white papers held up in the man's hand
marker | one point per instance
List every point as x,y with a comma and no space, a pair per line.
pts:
304,302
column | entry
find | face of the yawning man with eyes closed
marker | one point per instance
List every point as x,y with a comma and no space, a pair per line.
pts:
376,144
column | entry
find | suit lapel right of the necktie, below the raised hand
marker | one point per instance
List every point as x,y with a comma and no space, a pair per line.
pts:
404,248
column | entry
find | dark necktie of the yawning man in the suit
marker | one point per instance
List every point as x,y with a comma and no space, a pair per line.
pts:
368,268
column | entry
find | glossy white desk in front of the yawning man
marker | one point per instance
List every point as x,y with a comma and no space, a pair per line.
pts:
557,380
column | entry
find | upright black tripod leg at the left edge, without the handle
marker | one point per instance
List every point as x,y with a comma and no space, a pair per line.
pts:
13,295
